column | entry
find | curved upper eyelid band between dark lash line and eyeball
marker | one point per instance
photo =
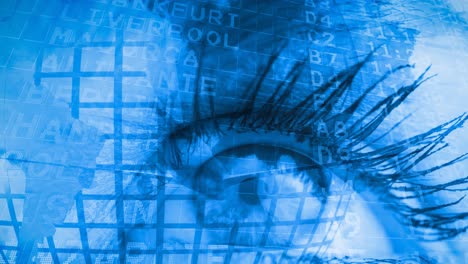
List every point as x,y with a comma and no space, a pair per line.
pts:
228,140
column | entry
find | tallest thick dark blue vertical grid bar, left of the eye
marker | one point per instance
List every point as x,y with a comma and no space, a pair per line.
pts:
118,61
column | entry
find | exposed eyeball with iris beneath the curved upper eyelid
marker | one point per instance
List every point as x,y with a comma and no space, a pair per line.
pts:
284,196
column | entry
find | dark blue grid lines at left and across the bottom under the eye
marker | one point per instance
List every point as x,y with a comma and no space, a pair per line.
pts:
120,227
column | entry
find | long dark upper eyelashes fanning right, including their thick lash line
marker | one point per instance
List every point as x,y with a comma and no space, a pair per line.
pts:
373,167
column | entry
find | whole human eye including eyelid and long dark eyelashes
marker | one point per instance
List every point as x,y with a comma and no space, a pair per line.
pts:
229,159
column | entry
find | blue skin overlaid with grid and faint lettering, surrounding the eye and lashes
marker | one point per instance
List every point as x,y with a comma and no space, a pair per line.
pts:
101,71
